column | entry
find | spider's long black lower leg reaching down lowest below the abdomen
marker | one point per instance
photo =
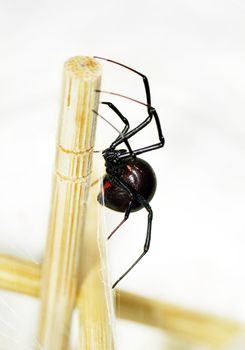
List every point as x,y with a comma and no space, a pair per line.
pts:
148,236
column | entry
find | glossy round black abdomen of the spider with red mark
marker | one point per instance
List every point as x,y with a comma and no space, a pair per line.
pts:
139,176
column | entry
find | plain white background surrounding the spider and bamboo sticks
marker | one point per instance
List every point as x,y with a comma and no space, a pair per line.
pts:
193,54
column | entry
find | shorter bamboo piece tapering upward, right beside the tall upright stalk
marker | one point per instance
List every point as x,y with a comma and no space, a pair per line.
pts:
95,304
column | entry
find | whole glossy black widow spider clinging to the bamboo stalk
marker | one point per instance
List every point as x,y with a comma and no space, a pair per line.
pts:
130,182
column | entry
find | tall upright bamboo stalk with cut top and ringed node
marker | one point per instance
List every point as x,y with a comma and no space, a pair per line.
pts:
59,276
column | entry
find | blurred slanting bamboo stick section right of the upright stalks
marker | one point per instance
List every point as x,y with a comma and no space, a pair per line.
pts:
183,323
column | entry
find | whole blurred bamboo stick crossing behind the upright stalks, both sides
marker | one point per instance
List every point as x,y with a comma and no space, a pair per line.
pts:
207,330
